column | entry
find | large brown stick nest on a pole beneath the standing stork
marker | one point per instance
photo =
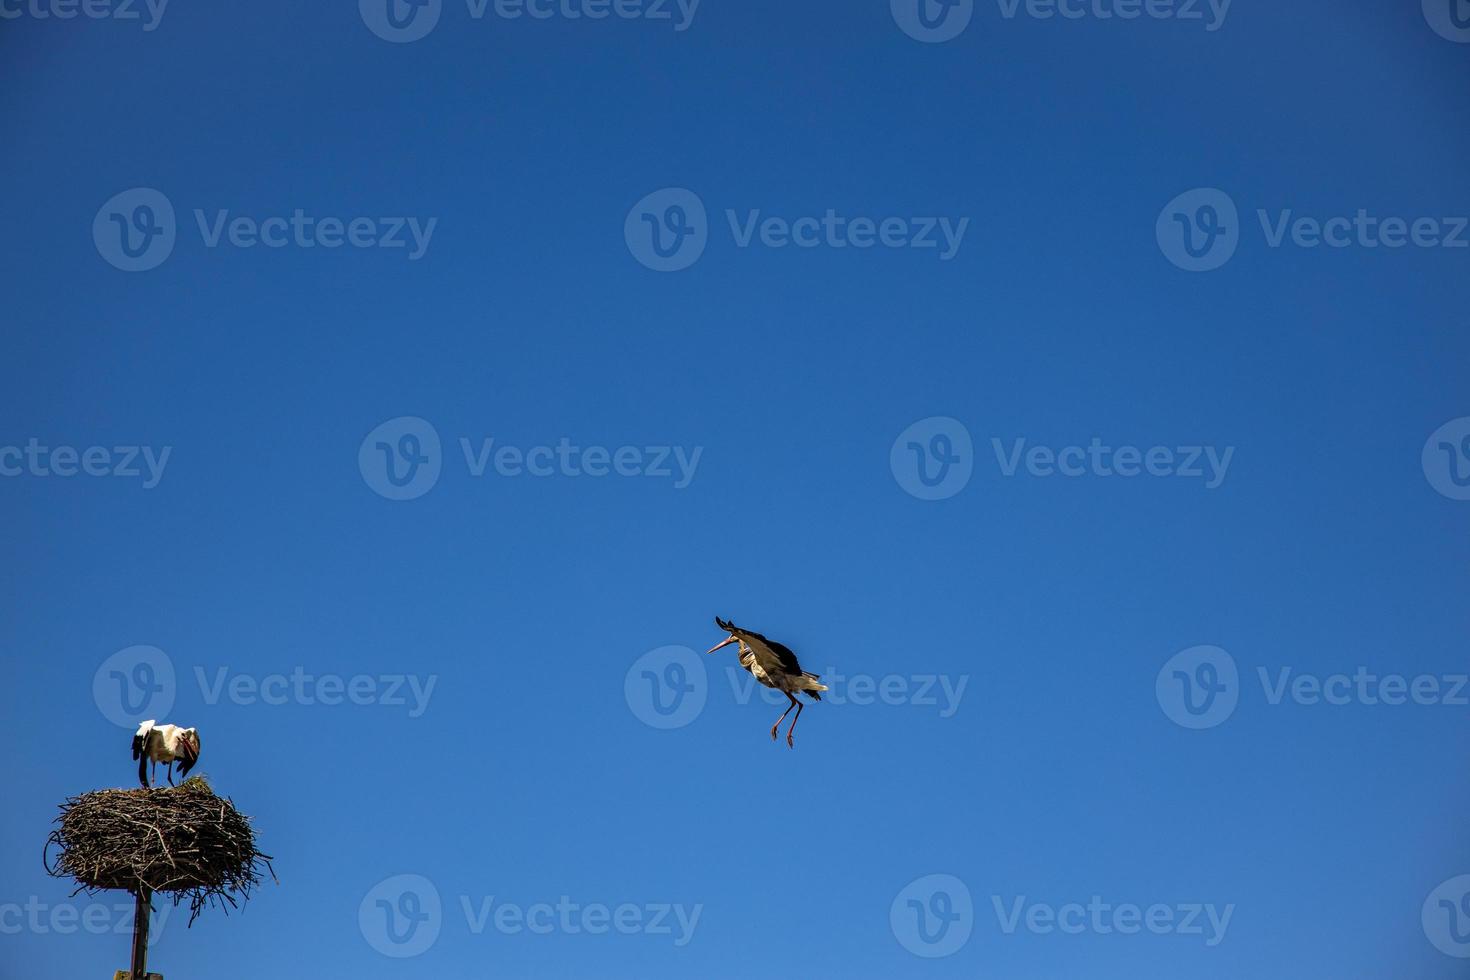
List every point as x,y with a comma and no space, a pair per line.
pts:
184,843
